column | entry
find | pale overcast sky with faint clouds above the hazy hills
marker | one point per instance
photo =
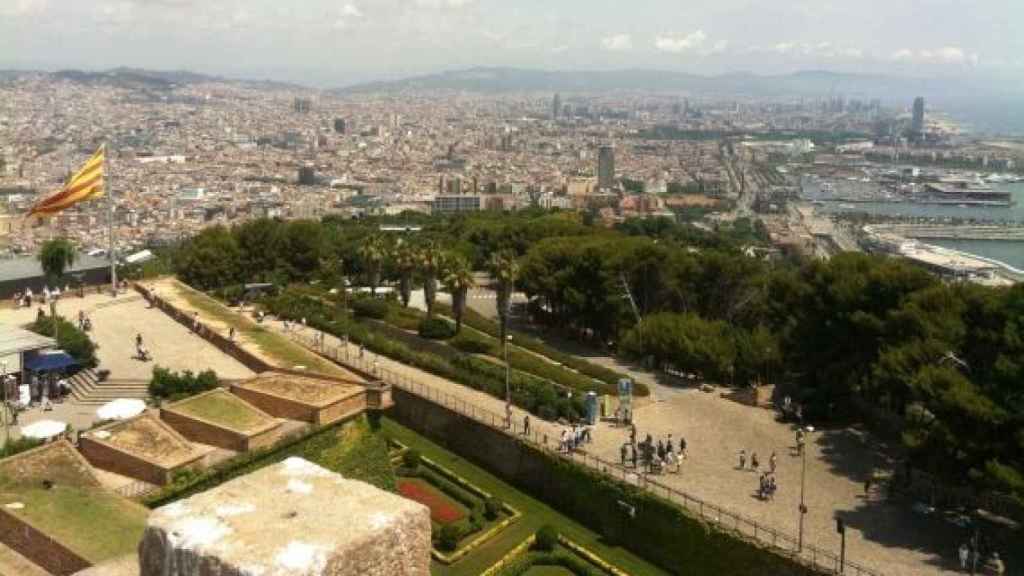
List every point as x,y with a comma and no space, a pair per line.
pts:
338,43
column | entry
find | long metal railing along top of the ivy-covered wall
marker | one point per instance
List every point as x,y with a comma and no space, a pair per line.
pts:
723,519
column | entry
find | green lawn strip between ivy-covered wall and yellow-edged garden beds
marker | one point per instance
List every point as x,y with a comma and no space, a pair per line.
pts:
536,515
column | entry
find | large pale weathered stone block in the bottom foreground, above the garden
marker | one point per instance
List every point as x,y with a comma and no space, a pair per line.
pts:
291,519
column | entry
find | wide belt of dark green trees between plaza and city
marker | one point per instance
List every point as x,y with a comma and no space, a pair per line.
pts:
848,338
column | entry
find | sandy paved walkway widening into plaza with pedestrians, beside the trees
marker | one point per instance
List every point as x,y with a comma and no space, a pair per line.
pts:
886,538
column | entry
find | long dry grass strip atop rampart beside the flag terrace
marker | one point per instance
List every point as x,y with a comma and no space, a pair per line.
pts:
286,353
